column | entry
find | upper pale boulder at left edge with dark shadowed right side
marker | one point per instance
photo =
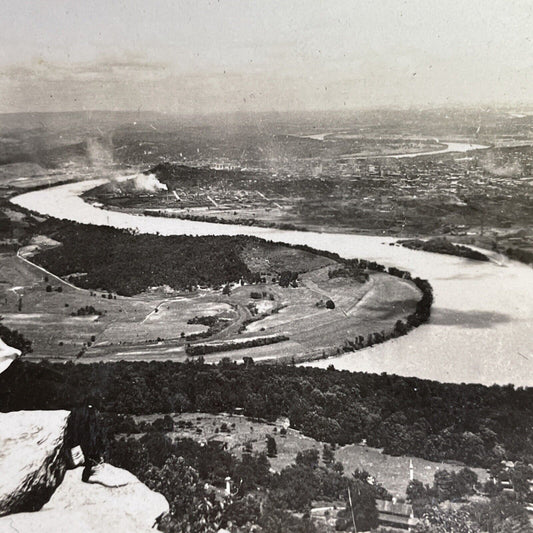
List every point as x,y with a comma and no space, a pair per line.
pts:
33,458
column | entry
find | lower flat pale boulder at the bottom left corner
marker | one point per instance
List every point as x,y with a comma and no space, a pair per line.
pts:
93,507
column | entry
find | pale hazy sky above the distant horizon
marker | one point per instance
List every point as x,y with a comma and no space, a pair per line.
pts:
227,55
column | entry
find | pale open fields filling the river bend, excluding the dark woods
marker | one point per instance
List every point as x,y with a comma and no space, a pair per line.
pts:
156,325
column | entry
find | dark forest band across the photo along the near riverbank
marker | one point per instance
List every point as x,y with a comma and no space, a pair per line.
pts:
474,424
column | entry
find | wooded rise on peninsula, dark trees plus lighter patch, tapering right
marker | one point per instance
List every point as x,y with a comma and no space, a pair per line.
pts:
127,263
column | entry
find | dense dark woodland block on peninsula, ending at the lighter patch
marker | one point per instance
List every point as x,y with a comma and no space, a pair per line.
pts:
124,263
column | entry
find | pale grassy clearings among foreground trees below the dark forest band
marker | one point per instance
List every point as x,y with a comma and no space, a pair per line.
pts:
391,472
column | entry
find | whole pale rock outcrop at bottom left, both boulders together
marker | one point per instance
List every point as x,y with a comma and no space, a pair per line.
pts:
41,491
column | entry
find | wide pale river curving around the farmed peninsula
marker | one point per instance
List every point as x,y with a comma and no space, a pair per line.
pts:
481,329
